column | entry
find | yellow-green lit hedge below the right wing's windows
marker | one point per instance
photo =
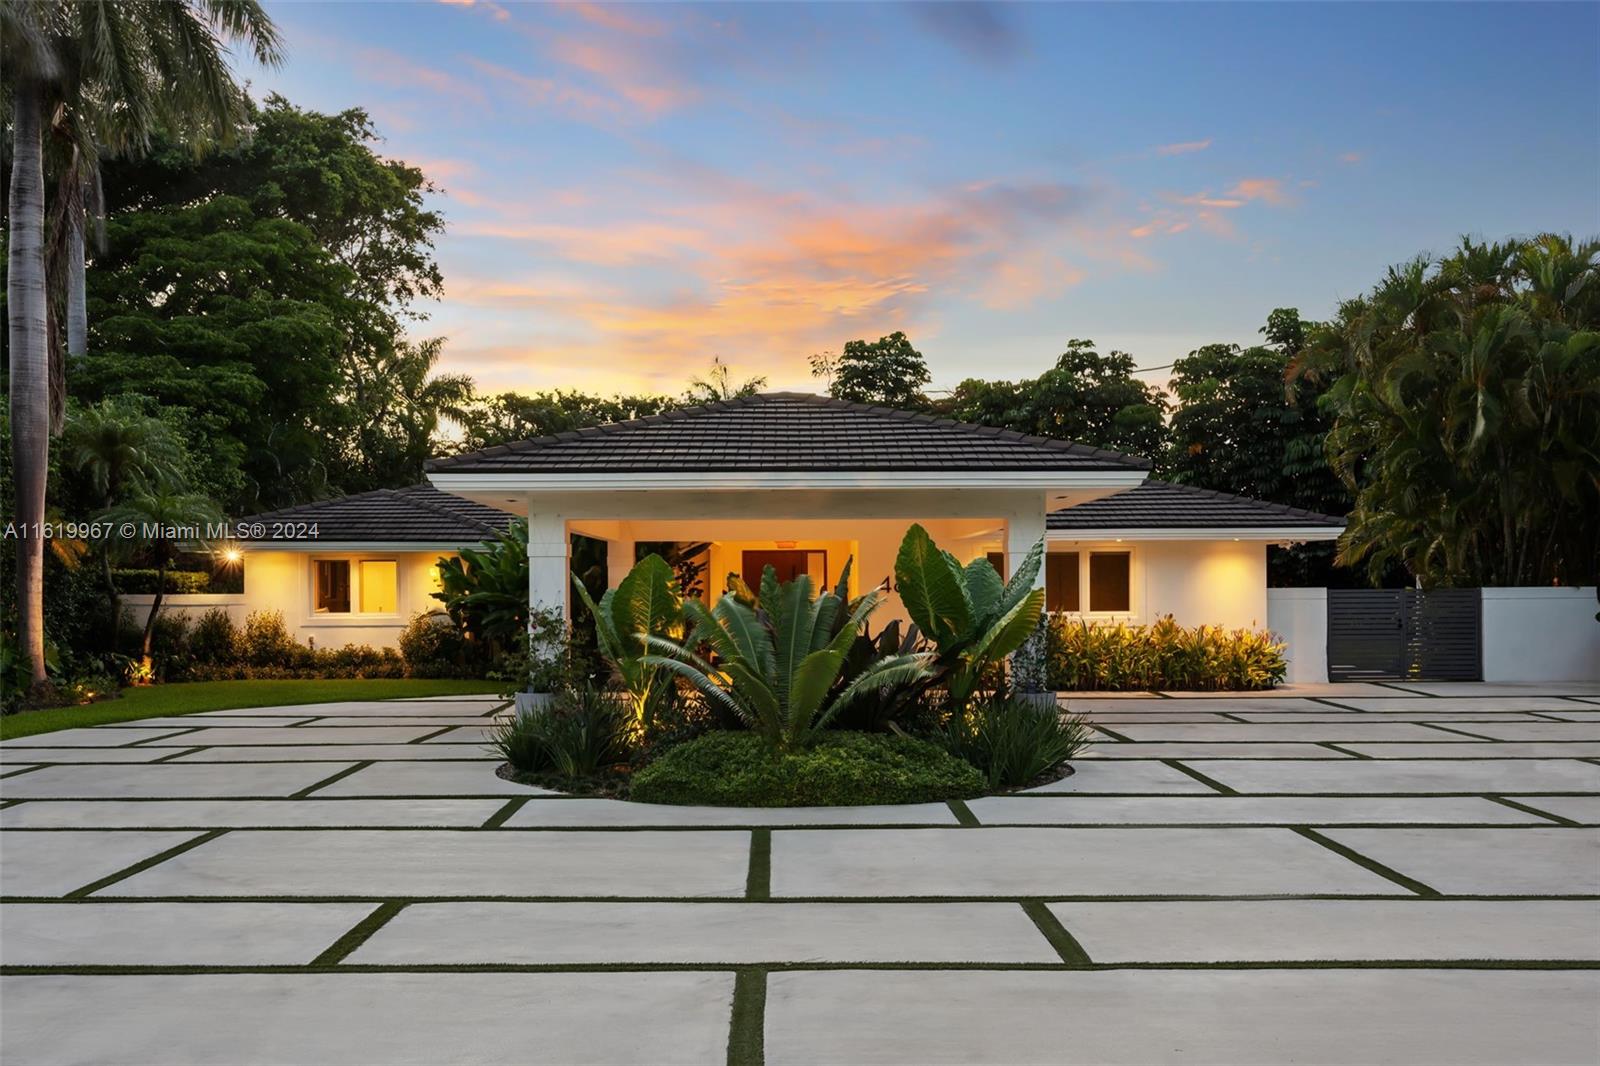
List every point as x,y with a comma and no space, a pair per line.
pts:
1162,655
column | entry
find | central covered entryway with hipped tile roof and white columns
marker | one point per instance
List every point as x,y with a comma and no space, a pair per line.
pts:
788,479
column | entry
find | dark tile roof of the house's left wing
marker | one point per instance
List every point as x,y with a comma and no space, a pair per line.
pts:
420,513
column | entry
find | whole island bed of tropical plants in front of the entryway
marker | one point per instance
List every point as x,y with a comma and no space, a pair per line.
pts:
782,695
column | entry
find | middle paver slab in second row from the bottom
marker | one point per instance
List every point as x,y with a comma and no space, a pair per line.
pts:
706,934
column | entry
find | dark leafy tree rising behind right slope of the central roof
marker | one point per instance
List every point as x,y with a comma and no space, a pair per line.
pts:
1087,398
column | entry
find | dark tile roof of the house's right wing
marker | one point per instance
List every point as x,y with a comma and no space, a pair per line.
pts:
1167,507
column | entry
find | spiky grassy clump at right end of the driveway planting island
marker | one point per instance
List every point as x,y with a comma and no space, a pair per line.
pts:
1014,742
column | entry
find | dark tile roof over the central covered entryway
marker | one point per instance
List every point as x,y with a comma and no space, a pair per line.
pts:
786,431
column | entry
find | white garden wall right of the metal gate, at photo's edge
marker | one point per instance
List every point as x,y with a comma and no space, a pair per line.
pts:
1540,635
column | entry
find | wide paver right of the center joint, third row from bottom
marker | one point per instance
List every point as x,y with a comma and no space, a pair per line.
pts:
1060,864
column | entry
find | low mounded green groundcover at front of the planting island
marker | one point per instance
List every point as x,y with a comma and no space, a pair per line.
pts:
841,769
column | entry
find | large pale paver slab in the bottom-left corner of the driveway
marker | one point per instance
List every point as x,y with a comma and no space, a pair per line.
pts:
361,1019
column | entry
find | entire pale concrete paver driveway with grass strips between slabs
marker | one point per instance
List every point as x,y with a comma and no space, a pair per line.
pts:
1340,875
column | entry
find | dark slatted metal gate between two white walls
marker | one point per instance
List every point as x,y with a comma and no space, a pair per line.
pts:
1388,635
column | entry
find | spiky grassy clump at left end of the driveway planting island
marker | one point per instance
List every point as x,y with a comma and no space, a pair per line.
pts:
582,735
